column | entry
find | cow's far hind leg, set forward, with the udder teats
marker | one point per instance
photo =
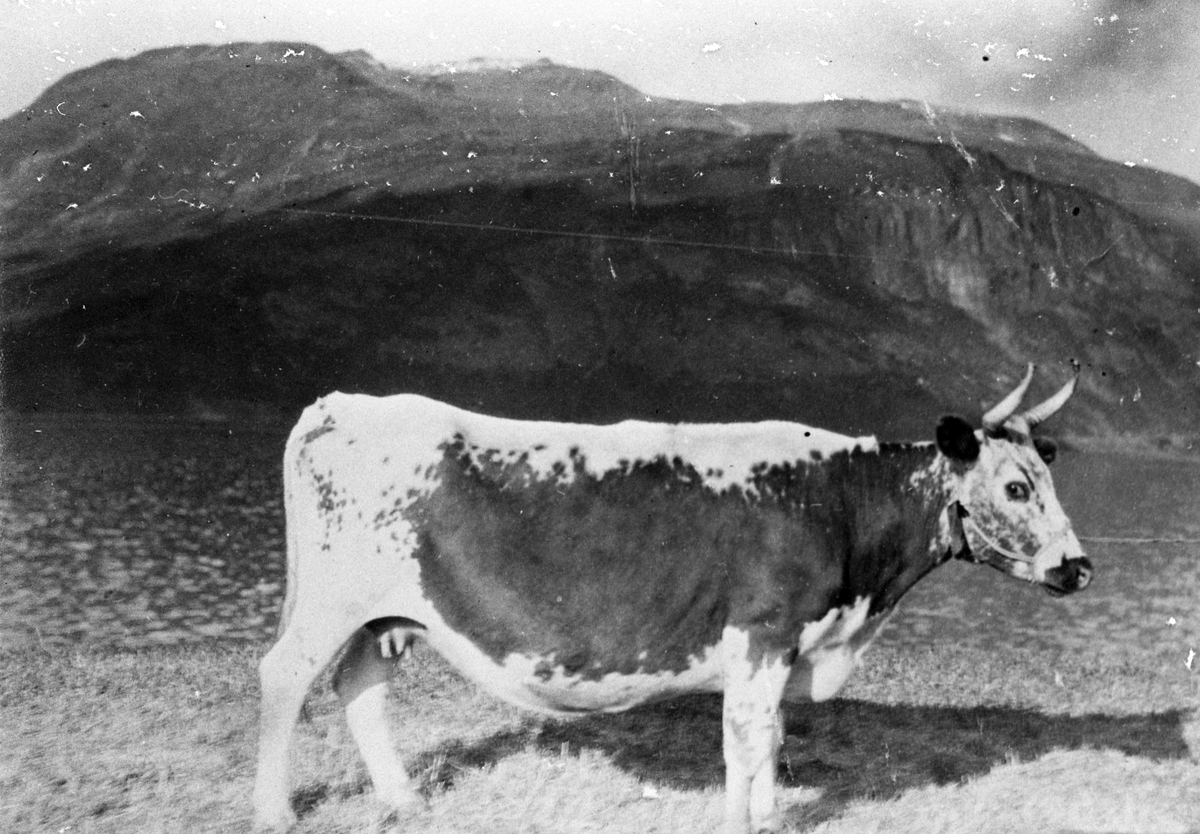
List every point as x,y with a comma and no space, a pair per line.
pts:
362,683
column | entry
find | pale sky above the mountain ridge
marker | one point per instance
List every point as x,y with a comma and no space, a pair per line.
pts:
1120,76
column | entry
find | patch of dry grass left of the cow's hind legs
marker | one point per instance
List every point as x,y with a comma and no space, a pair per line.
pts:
147,742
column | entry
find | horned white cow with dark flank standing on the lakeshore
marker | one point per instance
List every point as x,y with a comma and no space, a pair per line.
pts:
579,568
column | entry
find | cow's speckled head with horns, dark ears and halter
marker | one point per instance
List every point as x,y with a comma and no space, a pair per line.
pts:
1006,513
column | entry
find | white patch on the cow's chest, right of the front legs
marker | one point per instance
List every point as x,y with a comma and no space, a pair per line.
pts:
831,650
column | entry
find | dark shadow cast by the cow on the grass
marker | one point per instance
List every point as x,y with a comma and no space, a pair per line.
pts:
849,749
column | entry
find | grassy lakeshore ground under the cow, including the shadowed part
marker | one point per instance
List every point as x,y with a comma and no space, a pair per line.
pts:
945,740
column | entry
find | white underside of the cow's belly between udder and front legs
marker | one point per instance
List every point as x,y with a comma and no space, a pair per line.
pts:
537,683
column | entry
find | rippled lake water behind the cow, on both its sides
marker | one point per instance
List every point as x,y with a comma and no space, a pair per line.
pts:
139,532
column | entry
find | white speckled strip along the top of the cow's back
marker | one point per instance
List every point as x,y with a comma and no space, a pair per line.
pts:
723,454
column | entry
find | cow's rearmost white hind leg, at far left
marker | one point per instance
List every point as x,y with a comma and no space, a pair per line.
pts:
285,674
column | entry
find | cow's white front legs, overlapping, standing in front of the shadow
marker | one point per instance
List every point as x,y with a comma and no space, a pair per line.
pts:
755,680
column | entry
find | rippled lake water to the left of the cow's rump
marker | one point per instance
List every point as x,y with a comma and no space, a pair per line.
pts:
140,531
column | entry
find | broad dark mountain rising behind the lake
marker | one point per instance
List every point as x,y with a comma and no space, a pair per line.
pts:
243,229
